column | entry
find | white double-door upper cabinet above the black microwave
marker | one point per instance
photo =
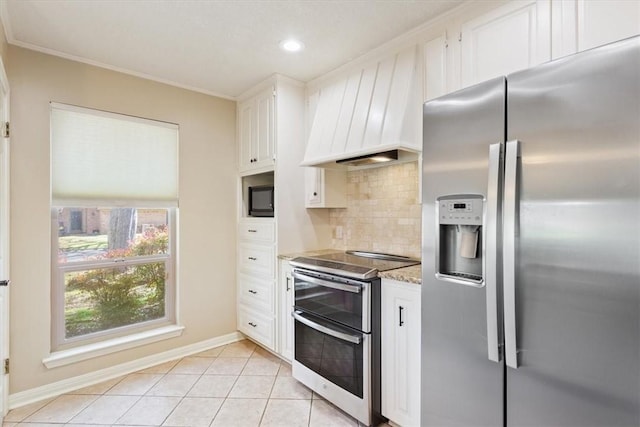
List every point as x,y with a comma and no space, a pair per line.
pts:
256,132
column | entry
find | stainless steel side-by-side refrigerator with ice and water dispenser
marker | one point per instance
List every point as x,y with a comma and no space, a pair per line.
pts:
531,247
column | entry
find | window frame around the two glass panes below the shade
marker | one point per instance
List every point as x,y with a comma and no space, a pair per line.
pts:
59,341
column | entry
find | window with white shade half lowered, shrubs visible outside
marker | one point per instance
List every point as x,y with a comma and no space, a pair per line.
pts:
114,204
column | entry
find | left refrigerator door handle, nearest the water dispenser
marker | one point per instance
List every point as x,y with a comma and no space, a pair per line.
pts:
491,255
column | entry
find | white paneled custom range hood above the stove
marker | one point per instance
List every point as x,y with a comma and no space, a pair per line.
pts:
371,116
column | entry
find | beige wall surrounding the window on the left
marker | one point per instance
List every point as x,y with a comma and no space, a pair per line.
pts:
207,204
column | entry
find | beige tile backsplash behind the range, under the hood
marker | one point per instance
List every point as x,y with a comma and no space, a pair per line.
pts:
383,213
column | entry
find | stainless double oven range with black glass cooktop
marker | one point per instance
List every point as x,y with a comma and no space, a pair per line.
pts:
336,309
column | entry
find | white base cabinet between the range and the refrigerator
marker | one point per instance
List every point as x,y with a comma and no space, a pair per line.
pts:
401,352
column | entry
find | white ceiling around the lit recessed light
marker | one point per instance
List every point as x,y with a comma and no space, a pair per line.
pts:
217,47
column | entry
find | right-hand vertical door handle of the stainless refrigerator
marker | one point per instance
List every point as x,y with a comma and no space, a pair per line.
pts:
512,153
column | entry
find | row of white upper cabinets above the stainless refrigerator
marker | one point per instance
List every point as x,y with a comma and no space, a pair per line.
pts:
482,42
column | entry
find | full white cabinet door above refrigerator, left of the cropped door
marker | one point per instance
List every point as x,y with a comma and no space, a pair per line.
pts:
507,39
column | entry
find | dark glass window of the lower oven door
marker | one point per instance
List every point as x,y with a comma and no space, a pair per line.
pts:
340,362
